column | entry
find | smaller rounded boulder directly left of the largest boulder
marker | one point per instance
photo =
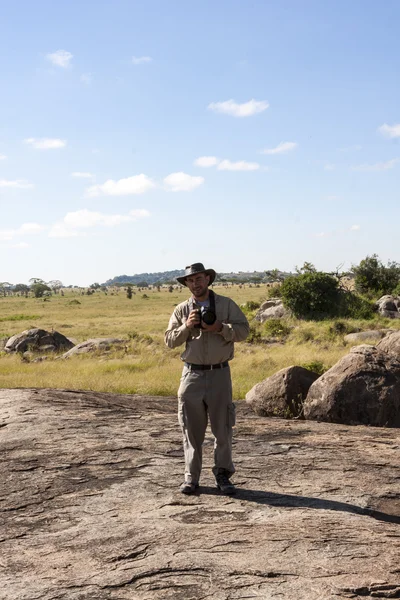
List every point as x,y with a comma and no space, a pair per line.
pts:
282,394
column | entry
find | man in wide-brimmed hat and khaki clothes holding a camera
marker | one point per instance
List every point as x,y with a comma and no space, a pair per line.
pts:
209,325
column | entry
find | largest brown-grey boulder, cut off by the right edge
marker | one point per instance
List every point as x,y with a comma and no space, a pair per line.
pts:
363,388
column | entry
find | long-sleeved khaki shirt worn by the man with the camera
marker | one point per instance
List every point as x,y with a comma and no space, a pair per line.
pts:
204,347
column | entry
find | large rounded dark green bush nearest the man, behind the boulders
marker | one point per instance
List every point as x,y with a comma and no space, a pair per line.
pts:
311,295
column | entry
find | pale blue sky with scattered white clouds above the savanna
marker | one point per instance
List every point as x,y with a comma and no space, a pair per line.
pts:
147,135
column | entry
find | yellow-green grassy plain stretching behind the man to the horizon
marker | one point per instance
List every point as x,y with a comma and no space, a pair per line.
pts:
146,365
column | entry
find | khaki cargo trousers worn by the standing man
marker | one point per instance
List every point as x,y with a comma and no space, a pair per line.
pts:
202,394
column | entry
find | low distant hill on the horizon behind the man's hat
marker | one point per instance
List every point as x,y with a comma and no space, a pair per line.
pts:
170,276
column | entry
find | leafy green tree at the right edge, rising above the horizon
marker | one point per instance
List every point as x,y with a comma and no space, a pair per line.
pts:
371,275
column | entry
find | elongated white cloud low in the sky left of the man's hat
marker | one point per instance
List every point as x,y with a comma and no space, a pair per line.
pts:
73,222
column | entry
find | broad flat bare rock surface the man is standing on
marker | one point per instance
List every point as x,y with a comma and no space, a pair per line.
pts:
89,505
